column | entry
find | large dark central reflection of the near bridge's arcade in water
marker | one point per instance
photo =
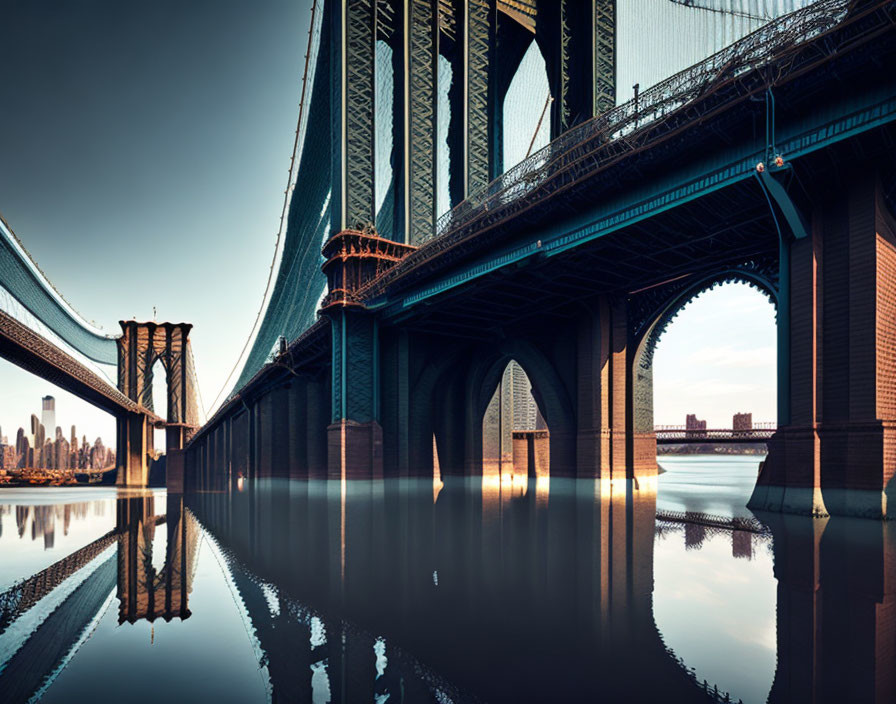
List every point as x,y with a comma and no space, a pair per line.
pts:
521,579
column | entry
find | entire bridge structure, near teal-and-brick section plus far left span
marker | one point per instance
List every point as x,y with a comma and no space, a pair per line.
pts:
744,157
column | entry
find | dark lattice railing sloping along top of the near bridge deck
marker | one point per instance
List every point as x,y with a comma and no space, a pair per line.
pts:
660,112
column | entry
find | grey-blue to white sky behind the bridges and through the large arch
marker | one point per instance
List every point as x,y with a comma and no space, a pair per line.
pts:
144,150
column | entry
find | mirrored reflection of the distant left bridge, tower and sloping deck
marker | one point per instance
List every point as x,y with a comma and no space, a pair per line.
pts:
75,591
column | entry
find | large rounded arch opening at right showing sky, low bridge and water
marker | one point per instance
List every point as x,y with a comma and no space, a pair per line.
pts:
706,381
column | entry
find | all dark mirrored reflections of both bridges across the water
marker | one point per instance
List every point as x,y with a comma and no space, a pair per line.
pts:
368,589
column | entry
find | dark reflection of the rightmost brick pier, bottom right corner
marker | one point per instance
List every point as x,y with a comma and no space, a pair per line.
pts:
836,610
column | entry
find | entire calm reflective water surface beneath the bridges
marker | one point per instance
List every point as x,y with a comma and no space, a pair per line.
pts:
486,591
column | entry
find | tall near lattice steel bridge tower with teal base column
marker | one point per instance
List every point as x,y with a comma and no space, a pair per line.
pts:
578,43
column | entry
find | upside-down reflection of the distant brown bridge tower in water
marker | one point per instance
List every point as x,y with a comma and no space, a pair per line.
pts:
144,591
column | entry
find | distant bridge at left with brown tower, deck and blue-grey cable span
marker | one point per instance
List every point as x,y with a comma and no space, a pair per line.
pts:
41,333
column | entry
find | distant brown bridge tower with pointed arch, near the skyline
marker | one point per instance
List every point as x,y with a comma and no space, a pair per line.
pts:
140,346
